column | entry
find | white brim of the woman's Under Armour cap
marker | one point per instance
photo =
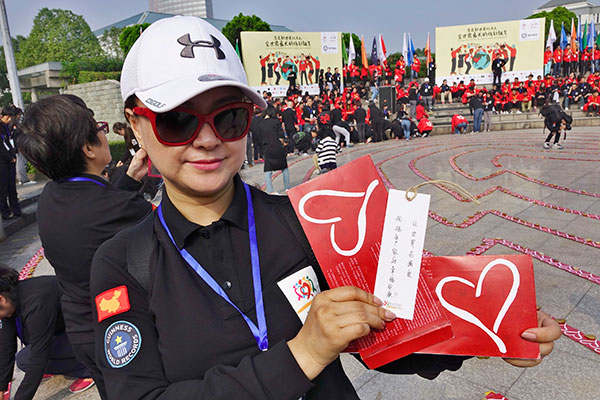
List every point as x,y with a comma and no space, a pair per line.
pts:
174,93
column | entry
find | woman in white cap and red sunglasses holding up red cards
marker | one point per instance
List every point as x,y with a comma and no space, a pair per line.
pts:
191,303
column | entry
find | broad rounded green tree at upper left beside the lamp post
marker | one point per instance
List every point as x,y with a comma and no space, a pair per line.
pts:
57,35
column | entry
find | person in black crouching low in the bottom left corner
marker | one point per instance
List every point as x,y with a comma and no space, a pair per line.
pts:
30,310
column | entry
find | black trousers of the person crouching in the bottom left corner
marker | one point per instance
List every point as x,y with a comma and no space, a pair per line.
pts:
62,360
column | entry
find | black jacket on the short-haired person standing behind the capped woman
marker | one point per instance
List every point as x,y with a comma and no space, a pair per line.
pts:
74,219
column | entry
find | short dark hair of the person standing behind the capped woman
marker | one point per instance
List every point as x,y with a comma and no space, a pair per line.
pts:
53,133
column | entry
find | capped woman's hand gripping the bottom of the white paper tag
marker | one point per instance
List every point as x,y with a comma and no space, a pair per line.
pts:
336,318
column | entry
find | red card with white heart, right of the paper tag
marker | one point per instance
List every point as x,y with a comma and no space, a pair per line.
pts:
490,301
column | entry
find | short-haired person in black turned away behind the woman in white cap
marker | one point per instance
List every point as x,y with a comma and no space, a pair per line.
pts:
78,210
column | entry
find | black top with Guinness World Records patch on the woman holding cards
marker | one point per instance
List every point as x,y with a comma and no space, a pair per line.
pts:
196,346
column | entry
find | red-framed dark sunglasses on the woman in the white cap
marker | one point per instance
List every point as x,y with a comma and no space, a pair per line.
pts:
181,125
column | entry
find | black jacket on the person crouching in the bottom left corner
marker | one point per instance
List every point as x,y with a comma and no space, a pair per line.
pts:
39,311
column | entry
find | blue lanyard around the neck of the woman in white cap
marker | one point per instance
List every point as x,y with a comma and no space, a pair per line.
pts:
260,332
